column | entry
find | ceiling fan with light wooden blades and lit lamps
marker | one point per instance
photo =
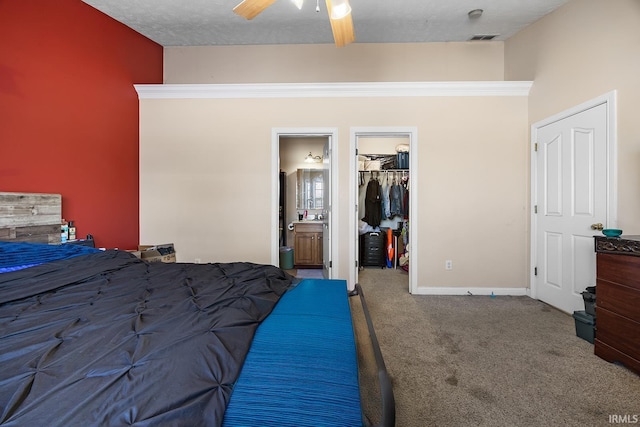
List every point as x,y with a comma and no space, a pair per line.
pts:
339,15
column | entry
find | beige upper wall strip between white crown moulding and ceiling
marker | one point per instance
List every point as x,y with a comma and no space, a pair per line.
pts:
326,63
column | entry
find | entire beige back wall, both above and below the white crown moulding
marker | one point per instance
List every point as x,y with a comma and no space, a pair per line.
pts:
205,175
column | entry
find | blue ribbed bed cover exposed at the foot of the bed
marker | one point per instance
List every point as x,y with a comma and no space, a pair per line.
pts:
308,376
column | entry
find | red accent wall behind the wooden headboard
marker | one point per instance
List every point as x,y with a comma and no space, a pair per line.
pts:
69,112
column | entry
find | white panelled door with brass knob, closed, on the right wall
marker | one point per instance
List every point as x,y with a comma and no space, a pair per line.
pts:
572,187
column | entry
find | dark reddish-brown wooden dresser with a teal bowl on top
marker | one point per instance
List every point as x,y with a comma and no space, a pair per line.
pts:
618,300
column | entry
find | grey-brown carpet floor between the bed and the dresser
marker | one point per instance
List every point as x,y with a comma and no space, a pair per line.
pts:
482,361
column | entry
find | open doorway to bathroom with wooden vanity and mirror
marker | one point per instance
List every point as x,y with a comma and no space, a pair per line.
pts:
302,163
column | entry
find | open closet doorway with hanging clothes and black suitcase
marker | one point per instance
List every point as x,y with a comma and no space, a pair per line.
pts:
374,156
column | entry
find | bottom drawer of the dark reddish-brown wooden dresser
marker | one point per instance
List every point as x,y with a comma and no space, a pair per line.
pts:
618,331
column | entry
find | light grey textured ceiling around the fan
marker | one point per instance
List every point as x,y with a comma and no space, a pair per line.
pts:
212,22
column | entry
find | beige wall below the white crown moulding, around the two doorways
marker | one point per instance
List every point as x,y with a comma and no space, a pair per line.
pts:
206,178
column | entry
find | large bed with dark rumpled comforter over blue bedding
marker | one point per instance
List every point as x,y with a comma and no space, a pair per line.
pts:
95,337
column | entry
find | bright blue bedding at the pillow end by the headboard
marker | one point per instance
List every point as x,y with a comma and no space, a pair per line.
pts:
19,255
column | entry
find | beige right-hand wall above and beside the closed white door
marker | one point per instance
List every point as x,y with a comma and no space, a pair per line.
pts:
579,52
